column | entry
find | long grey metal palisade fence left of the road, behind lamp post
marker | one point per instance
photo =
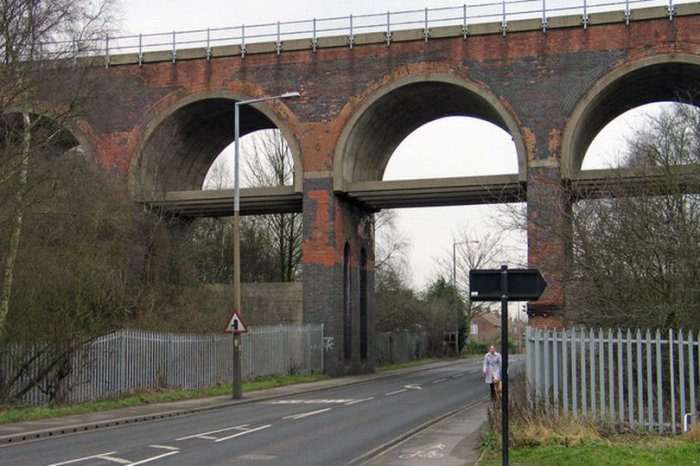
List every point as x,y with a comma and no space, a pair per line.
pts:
130,360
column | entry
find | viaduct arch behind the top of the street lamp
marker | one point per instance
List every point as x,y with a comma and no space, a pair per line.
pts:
178,147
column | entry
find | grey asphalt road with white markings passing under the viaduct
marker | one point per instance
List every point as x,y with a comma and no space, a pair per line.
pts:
335,426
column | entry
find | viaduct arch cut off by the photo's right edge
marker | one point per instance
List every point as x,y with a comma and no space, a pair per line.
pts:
644,81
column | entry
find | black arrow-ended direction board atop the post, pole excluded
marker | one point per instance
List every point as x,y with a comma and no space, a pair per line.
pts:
521,284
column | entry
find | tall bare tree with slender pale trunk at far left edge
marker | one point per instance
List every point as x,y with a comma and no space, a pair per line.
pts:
37,39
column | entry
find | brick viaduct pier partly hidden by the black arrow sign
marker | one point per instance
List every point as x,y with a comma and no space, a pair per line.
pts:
549,234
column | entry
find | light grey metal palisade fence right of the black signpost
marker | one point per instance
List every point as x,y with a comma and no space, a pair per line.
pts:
644,379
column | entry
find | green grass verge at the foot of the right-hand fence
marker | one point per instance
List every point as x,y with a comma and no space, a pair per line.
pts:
617,452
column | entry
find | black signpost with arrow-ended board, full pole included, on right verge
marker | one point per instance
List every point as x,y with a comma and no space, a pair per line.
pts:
505,285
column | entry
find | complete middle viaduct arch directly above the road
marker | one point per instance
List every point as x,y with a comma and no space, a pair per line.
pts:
387,117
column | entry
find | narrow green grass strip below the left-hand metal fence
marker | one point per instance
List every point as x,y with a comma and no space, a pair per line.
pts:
16,414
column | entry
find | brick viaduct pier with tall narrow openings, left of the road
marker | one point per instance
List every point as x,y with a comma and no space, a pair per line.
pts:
338,267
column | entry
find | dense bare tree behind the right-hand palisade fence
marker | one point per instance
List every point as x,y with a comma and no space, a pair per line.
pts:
635,260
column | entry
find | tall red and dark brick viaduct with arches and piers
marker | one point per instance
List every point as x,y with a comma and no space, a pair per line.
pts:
161,124
